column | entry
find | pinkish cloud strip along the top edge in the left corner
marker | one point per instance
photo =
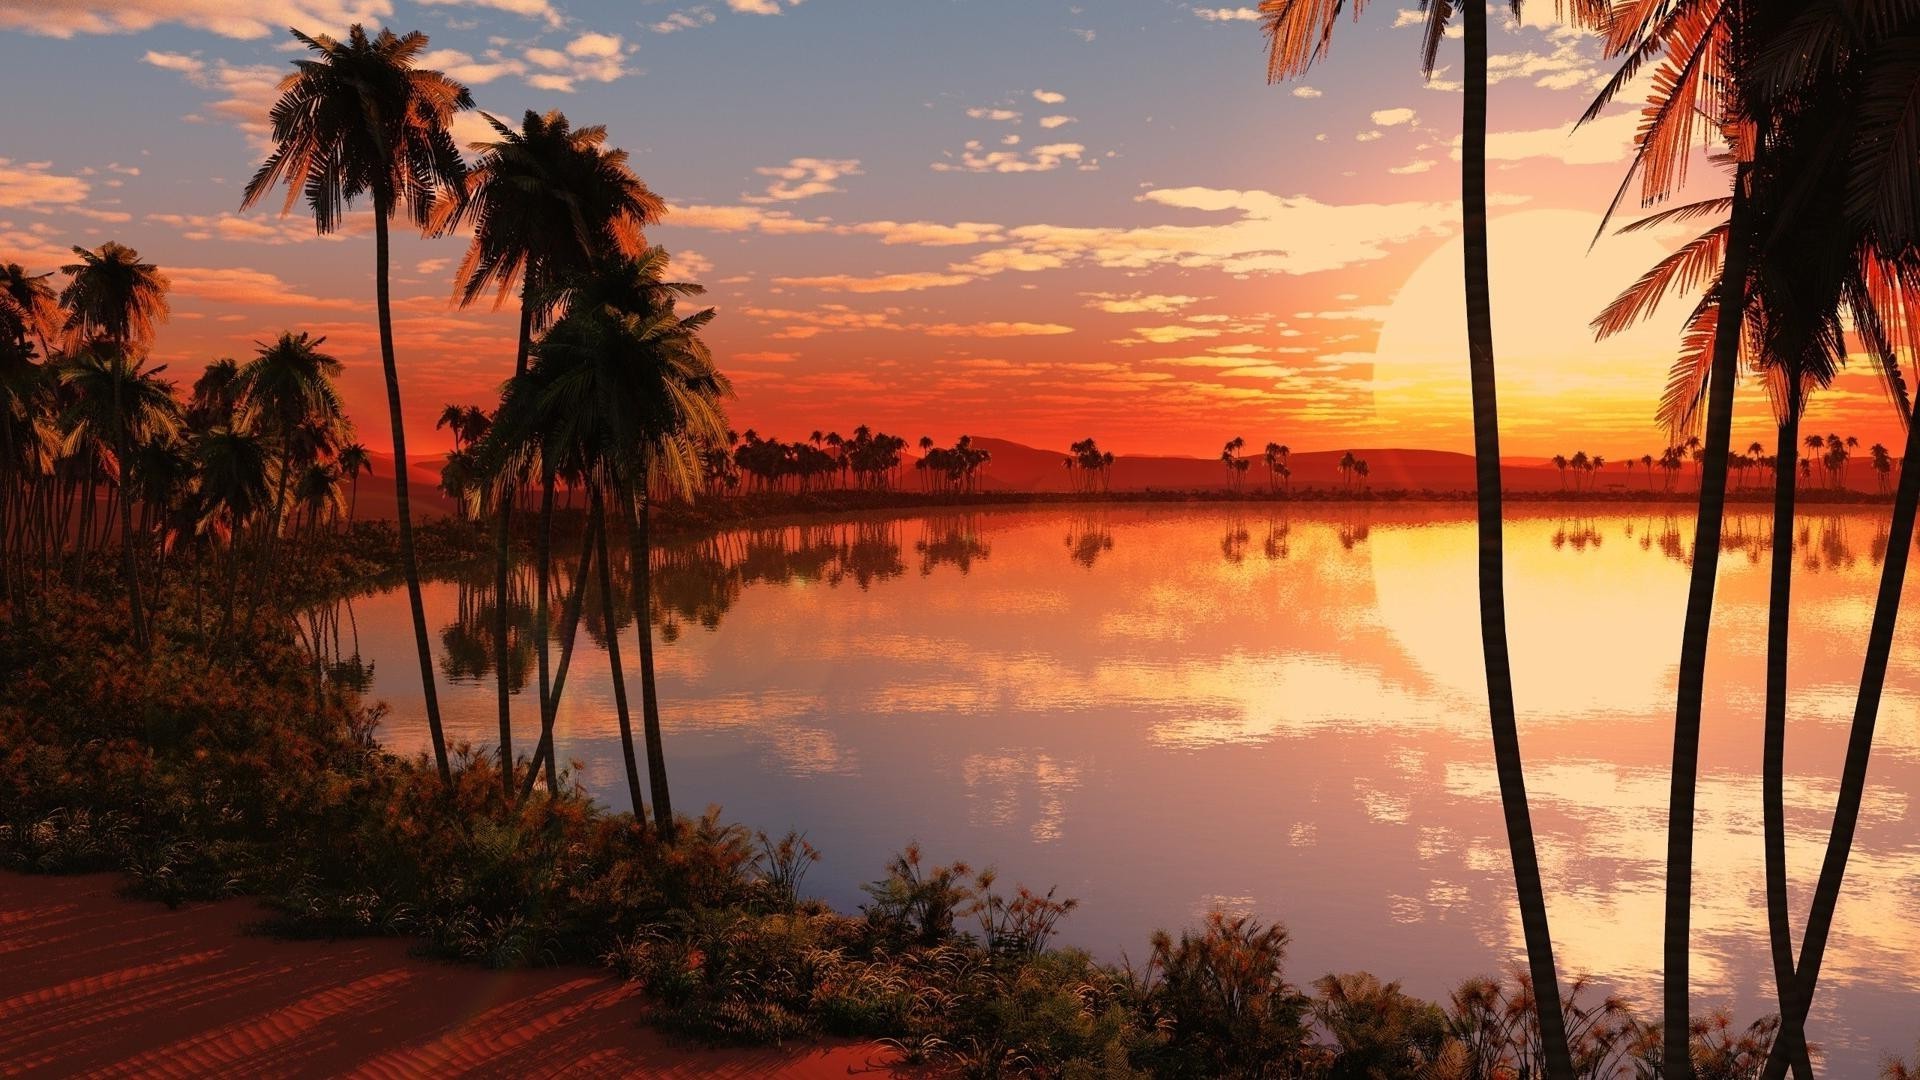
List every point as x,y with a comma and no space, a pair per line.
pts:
226,18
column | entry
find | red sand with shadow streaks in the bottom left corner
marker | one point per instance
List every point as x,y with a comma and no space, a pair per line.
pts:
95,985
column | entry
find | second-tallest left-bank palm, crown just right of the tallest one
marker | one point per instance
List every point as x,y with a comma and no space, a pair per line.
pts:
544,203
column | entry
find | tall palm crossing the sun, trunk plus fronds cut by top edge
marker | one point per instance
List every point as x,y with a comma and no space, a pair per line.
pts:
1301,32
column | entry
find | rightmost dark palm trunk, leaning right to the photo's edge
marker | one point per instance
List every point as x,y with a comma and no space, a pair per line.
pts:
1860,750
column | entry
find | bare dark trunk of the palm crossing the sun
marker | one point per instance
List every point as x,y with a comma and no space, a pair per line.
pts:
1493,560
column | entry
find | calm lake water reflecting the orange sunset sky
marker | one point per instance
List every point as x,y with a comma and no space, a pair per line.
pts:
1168,710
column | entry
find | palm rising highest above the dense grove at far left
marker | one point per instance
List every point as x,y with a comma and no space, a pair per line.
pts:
116,299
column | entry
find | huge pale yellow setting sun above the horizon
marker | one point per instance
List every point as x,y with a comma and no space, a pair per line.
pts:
1560,391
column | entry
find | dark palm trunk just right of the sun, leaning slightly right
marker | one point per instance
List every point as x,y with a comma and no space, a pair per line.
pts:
1694,639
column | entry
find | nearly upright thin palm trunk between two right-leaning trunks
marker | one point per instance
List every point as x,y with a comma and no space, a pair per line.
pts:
1773,758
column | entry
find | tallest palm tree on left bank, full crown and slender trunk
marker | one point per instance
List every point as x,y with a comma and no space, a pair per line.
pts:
358,122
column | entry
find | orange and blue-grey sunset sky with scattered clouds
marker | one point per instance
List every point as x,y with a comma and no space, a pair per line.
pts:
1032,220
